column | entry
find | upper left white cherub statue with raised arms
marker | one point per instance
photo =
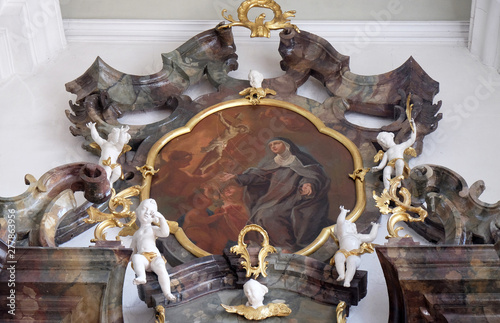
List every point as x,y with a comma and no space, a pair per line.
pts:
111,149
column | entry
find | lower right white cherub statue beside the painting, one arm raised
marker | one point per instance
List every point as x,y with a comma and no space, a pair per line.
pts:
351,246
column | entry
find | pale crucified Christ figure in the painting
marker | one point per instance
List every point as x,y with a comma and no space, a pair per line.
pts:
216,147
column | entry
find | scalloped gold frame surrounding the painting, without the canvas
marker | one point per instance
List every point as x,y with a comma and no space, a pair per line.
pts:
349,148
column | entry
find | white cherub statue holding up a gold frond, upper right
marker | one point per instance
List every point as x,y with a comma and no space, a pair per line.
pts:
392,161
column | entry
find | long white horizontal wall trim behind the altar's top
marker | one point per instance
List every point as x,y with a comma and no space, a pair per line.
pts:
119,30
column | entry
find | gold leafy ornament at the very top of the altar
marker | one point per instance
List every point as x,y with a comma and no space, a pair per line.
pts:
258,27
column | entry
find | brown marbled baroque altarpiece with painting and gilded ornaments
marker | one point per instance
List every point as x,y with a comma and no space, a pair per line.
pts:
230,214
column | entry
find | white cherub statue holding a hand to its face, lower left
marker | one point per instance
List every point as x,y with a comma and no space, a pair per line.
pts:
146,256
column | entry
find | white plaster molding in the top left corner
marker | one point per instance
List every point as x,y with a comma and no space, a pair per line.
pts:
31,33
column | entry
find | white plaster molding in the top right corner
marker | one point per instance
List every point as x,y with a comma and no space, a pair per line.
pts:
484,41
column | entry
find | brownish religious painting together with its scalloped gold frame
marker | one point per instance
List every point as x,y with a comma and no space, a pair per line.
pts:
199,168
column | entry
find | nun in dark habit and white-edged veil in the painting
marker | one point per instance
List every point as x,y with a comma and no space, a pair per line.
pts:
286,194
